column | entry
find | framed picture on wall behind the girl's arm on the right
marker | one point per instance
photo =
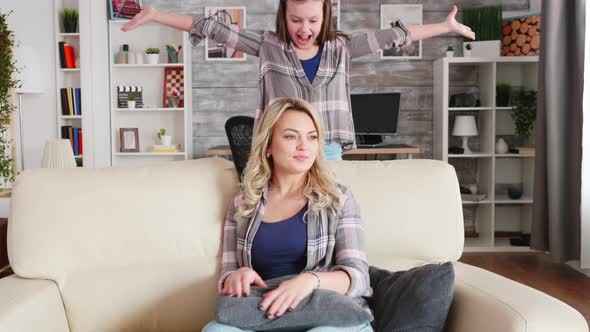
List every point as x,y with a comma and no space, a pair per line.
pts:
408,14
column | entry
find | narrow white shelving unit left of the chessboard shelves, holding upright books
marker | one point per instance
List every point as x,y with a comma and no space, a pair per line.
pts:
70,77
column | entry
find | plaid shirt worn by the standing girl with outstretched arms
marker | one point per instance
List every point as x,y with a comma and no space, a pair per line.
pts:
282,75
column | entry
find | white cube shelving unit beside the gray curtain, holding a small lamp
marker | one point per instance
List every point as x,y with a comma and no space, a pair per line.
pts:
497,215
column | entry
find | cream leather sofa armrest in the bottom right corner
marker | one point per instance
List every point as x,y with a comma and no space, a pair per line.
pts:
485,301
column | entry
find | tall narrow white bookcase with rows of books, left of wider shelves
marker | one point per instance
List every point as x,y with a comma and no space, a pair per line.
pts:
69,81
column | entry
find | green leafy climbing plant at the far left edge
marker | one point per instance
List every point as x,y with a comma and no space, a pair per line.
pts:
7,84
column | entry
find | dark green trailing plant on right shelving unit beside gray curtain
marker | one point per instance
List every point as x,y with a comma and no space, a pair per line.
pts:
524,114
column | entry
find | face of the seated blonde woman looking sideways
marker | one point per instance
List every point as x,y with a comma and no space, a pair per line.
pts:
294,144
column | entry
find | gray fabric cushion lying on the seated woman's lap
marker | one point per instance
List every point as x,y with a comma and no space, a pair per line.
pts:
320,308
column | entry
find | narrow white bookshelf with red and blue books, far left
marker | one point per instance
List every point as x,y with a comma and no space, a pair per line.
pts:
73,78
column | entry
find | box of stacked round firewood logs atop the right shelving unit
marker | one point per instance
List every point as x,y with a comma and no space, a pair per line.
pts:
521,36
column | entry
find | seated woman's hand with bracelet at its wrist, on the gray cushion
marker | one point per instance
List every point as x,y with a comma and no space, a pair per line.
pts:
288,295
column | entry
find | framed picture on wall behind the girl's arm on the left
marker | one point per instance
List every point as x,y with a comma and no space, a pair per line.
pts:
235,17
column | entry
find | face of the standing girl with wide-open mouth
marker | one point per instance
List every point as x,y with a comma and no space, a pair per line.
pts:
304,22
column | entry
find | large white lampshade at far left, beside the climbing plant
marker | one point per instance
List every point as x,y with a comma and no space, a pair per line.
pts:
32,73
